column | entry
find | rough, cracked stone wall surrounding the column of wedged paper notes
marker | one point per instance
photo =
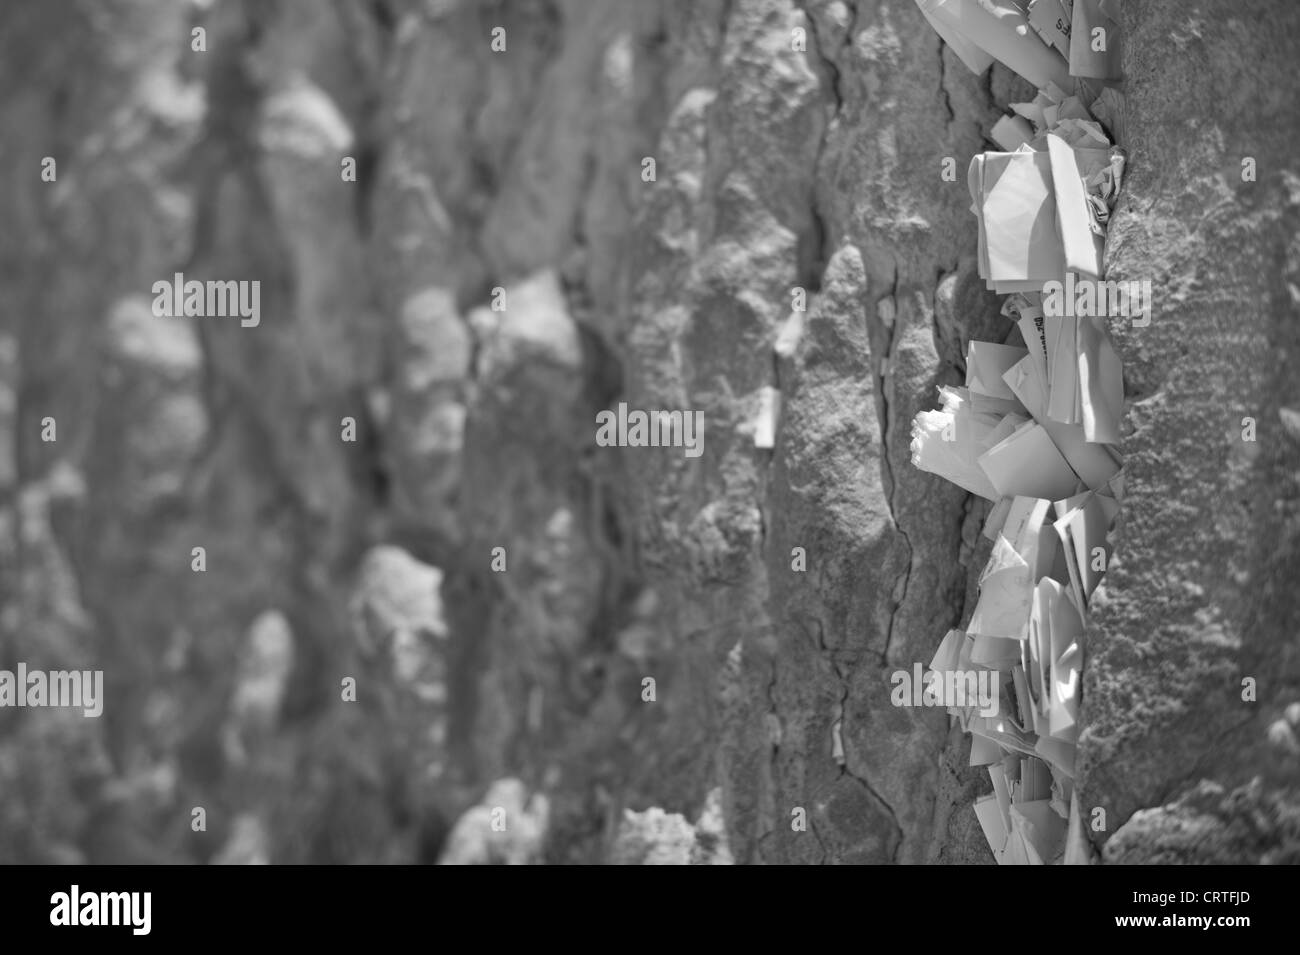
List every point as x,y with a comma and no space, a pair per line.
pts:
475,429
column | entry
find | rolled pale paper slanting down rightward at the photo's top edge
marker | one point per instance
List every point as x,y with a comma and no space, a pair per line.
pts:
1000,29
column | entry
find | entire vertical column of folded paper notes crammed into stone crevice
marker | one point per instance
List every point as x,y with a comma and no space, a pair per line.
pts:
1035,427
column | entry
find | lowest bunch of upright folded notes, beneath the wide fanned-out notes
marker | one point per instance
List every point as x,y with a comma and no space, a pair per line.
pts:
1048,559
